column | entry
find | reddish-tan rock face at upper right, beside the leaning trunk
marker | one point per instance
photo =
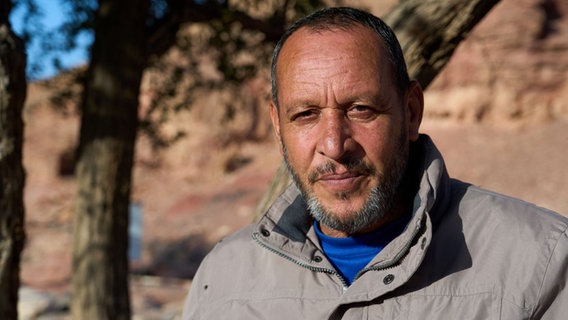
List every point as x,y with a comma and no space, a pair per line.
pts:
512,68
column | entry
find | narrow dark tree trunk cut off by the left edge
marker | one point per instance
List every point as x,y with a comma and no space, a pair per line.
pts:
12,177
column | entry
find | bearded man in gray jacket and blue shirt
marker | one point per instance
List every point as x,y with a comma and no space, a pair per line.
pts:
373,227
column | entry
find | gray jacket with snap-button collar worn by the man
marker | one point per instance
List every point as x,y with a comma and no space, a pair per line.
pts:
467,253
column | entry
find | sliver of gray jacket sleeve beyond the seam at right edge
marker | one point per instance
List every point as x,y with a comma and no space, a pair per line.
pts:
553,300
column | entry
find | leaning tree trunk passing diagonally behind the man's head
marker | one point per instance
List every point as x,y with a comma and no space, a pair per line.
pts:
429,31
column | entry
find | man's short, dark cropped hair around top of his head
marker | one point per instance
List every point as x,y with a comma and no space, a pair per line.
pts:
344,18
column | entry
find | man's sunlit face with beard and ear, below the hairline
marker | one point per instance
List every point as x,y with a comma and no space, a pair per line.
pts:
343,126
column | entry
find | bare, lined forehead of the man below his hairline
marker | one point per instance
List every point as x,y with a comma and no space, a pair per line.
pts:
339,58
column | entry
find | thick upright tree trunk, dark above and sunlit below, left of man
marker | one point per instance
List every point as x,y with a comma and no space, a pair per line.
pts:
105,157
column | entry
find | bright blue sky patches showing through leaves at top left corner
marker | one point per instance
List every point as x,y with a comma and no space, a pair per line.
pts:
53,15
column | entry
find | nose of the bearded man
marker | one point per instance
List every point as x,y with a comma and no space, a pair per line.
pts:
335,136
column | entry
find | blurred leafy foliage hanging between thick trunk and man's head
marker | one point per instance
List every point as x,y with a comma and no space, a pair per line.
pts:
238,41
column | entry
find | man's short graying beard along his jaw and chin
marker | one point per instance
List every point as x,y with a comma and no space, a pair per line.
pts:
377,206
